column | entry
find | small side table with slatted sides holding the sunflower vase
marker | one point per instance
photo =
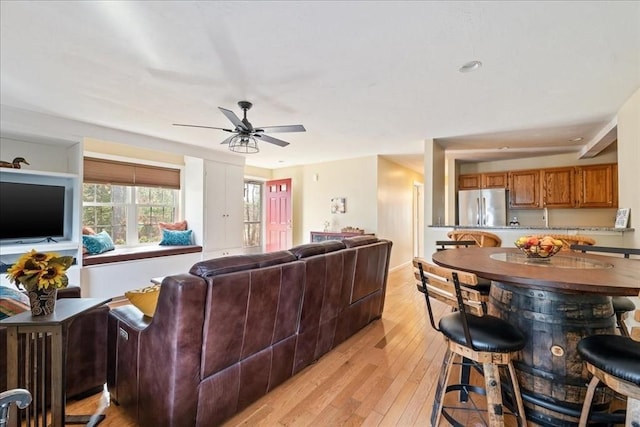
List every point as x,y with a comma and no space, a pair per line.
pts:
36,329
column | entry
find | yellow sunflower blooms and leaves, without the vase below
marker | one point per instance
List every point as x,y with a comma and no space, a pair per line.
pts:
36,271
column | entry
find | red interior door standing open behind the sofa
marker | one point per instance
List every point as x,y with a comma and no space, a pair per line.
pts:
279,232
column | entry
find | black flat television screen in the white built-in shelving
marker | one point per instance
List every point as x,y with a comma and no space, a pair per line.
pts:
31,211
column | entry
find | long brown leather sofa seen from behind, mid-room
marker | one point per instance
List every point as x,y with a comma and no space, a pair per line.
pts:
234,328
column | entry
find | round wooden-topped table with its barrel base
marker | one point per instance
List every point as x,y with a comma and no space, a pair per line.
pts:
556,302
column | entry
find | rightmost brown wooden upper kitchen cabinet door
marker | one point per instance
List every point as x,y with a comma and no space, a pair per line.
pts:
598,186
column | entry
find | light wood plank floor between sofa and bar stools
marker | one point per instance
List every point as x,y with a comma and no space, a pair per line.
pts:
384,375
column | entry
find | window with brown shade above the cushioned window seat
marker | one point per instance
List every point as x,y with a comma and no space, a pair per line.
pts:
130,213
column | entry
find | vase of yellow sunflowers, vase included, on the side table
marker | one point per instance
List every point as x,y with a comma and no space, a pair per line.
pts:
41,275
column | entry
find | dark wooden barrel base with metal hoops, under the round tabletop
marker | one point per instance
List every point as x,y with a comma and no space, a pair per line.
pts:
552,376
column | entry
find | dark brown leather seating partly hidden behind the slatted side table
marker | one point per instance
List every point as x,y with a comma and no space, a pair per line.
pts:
86,351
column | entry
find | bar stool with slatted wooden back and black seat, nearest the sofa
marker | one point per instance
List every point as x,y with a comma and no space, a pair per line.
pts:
486,340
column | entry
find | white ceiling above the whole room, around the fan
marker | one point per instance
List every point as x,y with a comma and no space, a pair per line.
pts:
363,77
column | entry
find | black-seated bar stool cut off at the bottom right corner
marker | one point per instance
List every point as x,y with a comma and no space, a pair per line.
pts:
614,360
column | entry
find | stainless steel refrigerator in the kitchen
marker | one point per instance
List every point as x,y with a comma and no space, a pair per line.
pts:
482,208
